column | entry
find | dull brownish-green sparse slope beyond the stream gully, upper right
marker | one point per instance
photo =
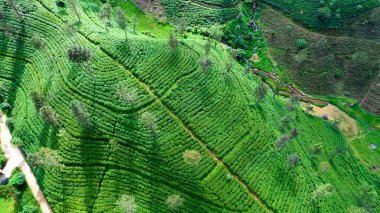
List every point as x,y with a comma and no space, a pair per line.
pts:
329,67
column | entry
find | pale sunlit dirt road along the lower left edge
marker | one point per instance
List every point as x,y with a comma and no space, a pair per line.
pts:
16,159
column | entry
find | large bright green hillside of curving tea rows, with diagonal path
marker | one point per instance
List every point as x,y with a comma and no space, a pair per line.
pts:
136,147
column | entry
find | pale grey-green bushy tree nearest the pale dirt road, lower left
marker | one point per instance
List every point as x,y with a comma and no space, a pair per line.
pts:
47,158
